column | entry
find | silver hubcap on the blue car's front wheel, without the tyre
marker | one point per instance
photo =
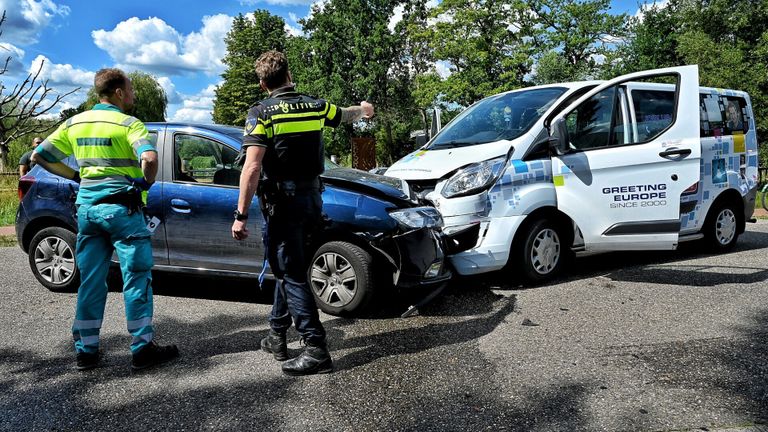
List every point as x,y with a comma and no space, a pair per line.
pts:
334,279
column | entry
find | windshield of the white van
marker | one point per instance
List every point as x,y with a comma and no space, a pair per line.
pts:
500,117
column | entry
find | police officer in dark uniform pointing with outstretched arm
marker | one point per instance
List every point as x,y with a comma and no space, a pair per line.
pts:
283,134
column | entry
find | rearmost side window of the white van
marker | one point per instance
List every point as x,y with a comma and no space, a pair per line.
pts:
722,115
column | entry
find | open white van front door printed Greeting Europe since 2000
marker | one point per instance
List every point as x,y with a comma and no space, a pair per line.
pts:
622,177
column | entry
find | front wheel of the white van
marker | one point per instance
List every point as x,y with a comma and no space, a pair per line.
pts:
541,253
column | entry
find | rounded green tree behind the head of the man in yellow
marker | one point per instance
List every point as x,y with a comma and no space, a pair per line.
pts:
151,100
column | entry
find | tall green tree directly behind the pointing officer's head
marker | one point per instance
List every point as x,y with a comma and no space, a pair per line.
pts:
249,37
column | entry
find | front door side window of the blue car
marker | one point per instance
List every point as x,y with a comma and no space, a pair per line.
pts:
202,160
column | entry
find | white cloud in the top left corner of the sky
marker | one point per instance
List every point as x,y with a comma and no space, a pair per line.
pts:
25,19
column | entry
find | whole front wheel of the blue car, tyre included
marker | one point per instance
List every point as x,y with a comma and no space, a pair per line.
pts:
341,278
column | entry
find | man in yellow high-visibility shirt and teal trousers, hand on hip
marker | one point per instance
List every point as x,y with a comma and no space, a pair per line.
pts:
118,164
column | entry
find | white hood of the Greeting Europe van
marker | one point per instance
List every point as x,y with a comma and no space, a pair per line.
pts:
429,164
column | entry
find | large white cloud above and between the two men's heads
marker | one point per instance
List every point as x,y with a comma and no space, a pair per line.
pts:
155,46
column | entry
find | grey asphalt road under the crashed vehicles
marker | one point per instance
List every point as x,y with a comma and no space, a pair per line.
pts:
629,341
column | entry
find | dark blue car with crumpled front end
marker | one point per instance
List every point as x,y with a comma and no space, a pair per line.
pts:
375,236
